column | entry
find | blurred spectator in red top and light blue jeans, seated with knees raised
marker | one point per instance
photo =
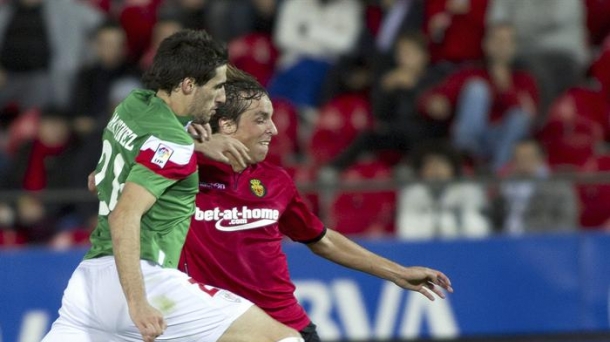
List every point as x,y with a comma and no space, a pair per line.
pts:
492,105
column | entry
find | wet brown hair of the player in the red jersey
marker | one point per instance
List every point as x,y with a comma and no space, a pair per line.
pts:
240,90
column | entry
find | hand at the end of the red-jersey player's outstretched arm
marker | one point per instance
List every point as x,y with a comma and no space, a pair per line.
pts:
424,280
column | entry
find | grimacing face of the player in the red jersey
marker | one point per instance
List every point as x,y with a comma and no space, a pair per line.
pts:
256,128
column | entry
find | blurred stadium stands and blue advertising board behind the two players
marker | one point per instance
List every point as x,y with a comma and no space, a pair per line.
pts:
466,135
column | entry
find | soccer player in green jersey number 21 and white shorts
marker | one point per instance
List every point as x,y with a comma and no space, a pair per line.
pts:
127,287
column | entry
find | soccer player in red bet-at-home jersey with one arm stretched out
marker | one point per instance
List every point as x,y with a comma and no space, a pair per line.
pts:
234,241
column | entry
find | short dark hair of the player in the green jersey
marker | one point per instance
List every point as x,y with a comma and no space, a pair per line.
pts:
187,53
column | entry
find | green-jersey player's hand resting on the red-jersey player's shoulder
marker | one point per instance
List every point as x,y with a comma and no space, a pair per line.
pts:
225,149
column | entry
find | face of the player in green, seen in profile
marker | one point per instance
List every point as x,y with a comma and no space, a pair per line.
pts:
209,96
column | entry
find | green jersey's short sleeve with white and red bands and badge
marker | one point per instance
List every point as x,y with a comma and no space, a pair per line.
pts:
160,163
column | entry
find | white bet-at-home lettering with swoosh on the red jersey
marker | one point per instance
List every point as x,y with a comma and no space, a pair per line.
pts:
236,219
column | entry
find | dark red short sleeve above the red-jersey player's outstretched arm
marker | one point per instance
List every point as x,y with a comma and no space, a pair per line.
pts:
299,223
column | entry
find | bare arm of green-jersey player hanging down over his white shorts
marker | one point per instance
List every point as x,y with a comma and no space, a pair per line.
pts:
124,223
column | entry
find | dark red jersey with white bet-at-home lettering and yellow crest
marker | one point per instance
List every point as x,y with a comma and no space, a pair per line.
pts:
235,237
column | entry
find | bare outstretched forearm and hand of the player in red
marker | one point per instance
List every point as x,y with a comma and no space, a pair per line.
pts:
341,250
